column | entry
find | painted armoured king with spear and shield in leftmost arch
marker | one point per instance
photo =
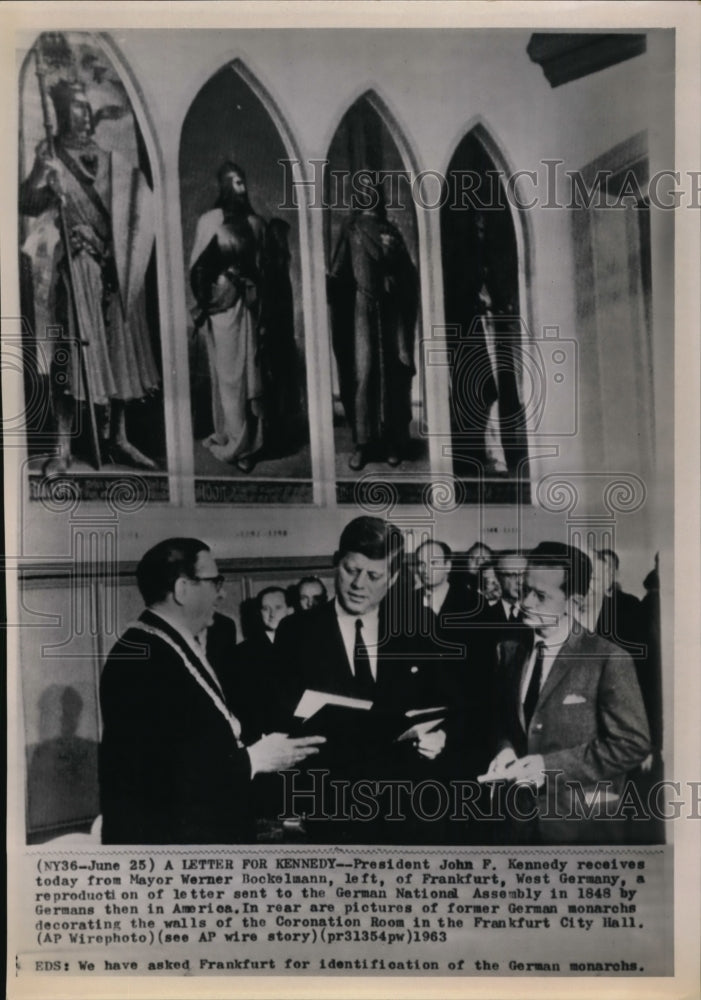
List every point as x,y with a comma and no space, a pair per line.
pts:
106,203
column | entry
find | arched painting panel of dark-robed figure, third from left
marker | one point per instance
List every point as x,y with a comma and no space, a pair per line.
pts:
367,147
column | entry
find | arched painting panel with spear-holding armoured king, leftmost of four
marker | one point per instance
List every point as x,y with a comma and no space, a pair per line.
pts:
127,187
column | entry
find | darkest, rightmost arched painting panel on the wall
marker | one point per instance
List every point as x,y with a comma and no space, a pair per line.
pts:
491,376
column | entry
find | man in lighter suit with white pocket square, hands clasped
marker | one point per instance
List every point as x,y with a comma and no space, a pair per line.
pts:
569,705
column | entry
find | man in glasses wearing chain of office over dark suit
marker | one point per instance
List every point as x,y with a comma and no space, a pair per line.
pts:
173,767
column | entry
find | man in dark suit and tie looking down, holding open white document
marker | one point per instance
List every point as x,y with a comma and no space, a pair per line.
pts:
368,677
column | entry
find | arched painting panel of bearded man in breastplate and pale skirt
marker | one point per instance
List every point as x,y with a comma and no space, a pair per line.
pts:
233,119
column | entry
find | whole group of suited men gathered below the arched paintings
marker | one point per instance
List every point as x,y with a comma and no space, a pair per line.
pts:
492,698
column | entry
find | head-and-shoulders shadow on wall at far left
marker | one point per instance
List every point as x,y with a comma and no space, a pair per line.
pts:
62,769
